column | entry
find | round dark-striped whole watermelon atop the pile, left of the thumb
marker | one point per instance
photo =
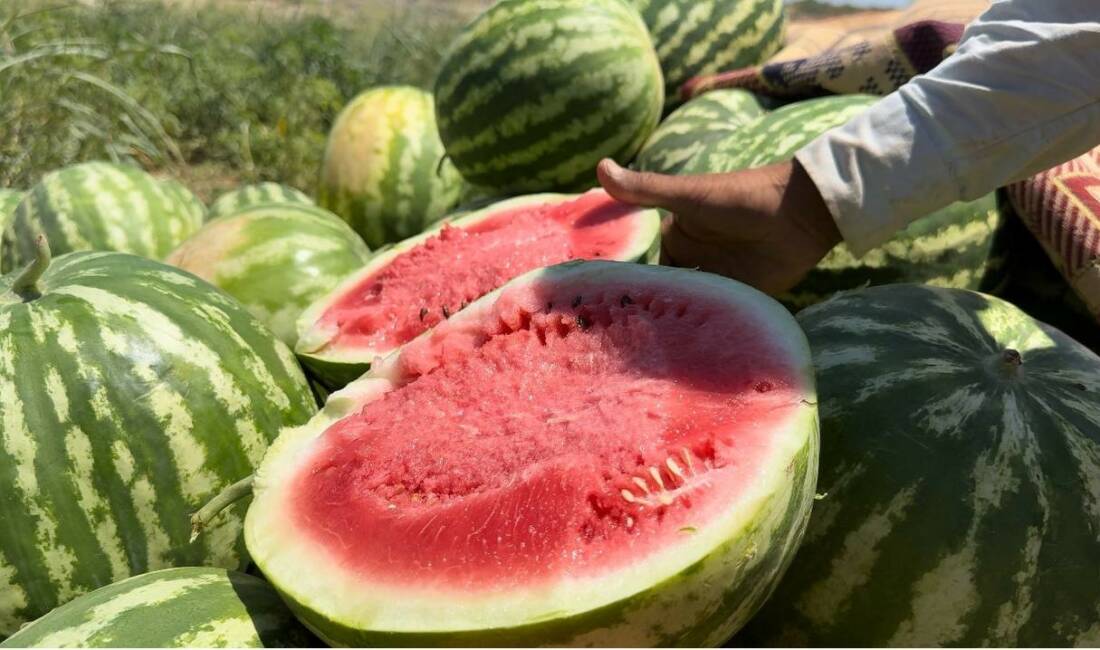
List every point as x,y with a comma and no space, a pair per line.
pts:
533,95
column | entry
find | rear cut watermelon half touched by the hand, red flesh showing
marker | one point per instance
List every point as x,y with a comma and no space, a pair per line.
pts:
426,280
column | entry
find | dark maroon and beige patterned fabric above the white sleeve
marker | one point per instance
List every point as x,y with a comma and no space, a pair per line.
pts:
875,67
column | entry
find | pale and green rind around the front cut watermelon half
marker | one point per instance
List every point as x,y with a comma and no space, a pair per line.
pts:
703,604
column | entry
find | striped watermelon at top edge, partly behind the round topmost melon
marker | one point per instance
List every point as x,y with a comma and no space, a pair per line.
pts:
707,37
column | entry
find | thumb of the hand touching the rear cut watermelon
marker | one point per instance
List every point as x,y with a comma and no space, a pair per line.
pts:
677,194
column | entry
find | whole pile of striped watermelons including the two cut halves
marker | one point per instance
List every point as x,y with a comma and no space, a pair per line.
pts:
444,407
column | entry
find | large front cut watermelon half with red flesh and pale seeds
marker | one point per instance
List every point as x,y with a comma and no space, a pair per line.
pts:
596,455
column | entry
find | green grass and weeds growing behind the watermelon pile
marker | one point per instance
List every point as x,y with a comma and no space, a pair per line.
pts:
217,95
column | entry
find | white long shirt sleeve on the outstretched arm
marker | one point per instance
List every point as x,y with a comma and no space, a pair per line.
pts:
1021,95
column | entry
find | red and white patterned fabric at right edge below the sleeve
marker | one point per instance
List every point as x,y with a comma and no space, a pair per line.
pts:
1062,208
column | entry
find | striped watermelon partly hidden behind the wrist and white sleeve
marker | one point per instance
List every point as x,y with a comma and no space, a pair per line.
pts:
952,248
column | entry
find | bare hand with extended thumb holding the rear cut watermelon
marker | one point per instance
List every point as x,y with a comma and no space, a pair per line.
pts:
766,227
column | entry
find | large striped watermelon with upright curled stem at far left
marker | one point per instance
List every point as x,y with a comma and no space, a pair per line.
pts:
133,392
